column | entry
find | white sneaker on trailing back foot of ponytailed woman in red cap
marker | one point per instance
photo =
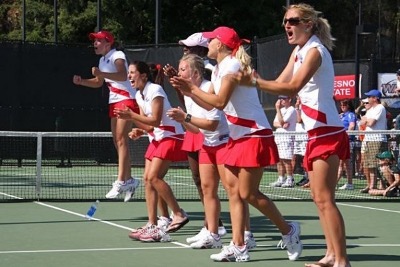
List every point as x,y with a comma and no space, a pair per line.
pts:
292,242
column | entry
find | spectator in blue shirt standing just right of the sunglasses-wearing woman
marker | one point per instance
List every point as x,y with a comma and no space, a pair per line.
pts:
349,119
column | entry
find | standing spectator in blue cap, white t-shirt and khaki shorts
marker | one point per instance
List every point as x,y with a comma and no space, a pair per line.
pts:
374,119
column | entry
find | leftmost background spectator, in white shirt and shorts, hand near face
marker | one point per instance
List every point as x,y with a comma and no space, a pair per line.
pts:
284,122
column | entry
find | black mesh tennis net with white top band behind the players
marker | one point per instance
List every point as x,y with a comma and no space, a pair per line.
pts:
77,166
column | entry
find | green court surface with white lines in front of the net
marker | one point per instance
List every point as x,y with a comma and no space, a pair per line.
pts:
57,233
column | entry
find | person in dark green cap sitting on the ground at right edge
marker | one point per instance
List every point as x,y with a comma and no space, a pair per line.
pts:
390,174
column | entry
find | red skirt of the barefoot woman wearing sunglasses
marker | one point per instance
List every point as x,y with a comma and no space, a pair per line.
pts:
325,146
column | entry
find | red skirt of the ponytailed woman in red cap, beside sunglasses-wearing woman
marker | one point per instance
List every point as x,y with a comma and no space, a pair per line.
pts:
254,151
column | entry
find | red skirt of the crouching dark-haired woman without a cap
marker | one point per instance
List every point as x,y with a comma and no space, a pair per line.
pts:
168,148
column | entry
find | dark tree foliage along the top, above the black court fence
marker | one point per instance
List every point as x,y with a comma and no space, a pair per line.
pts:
133,21
